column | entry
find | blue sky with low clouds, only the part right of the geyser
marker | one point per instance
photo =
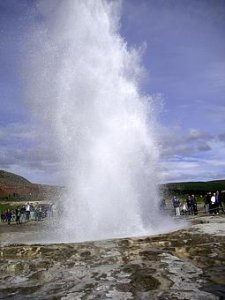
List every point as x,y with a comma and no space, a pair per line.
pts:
185,59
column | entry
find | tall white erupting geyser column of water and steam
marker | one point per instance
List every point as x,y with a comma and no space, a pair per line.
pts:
83,84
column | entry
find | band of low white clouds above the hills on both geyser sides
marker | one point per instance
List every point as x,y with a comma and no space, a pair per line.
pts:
194,156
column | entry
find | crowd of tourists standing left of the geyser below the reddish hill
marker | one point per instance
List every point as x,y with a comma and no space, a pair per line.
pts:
27,212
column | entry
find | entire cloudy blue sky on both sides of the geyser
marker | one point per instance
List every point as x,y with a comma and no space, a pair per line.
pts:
183,53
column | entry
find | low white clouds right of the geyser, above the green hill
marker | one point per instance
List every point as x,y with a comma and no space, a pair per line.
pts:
195,156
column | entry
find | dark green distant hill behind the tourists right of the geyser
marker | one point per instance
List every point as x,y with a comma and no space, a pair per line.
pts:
197,188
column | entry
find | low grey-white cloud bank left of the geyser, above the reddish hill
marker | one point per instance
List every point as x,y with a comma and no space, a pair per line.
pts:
24,149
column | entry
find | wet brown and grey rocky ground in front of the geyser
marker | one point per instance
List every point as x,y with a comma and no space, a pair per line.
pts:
185,264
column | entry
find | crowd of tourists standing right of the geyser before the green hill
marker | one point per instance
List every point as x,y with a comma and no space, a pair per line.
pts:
213,204
